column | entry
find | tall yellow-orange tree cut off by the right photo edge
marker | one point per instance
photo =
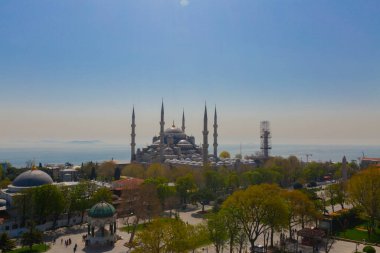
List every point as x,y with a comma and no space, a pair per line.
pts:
364,192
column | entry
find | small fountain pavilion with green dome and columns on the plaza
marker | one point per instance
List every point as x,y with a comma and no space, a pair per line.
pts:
101,225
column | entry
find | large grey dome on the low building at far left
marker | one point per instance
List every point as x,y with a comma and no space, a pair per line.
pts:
32,178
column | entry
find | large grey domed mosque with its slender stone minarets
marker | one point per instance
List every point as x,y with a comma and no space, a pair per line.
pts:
173,144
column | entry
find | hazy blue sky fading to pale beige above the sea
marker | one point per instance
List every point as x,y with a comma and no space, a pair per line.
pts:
71,70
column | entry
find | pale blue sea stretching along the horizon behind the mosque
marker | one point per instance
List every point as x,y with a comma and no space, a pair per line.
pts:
76,154
